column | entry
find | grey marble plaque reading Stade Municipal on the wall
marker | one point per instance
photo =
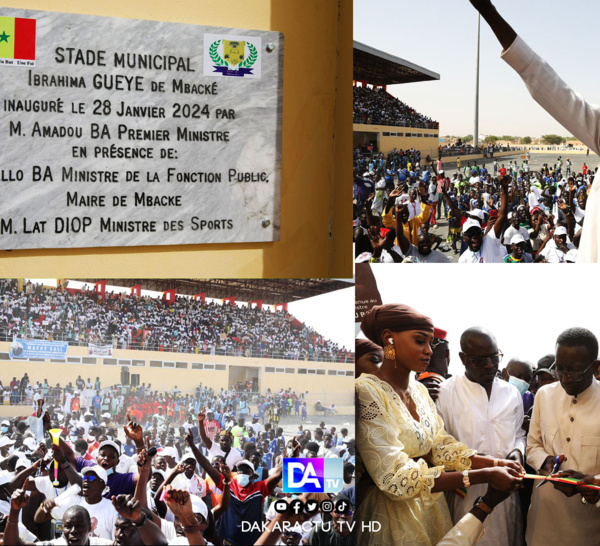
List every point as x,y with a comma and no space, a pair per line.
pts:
121,132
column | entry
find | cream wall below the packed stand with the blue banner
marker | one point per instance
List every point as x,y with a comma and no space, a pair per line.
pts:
185,375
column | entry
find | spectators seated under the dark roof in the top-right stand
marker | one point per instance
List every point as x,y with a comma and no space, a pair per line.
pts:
378,107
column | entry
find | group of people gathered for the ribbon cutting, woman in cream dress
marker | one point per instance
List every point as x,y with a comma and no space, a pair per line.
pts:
483,438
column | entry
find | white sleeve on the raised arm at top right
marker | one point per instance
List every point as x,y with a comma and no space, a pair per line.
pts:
545,86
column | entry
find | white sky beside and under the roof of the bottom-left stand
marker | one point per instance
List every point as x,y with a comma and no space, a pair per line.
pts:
331,314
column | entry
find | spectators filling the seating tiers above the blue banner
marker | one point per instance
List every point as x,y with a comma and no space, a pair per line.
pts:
132,322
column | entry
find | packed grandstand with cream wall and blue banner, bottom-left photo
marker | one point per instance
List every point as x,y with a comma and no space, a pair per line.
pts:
197,332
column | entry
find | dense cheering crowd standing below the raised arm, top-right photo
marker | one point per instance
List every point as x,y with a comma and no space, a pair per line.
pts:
499,213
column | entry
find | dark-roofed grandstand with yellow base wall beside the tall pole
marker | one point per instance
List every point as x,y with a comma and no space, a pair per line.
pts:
381,121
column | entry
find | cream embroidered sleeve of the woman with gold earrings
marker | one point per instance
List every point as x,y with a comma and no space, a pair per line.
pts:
382,451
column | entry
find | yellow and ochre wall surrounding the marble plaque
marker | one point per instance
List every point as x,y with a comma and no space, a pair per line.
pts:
316,145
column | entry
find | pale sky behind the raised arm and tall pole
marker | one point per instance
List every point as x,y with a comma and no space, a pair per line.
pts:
441,35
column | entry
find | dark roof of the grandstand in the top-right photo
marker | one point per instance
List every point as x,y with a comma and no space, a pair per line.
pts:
380,68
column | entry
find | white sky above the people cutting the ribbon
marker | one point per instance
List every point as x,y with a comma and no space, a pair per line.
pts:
525,312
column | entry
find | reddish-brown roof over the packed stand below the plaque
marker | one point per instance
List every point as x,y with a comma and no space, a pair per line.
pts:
270,291
